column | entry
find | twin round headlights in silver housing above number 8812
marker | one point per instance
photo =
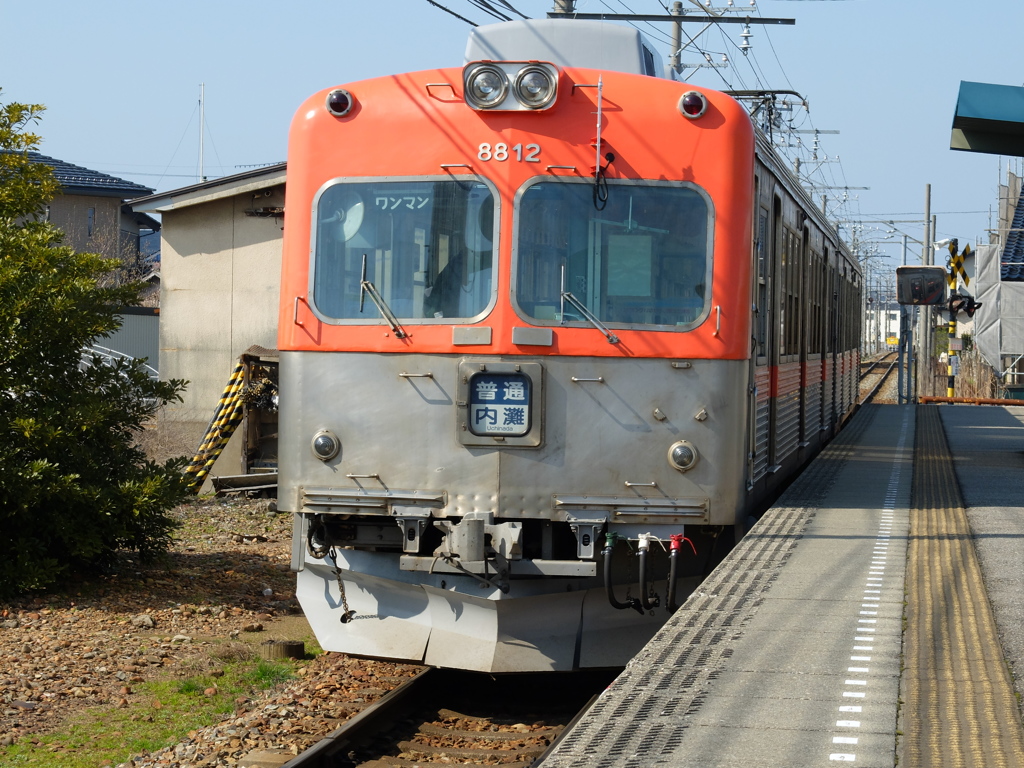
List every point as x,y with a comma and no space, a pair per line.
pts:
510,86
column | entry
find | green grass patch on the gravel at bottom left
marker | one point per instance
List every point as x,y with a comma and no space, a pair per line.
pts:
159,714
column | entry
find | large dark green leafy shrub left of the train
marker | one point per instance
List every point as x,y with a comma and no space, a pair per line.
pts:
74,487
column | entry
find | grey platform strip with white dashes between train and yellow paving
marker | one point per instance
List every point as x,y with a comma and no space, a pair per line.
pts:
789,655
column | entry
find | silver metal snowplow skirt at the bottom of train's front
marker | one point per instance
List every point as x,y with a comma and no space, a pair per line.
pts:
495,633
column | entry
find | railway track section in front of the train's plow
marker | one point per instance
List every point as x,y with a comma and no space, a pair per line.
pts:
446,717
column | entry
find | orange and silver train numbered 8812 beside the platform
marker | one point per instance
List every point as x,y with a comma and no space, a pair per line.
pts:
554,329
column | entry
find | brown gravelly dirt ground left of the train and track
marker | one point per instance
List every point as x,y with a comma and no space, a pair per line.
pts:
225,588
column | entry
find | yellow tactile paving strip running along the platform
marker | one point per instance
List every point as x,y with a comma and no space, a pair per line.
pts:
959,706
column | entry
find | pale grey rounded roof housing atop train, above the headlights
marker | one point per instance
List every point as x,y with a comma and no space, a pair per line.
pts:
594,46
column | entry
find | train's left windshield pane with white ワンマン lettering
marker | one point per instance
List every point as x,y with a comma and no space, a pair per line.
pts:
426,246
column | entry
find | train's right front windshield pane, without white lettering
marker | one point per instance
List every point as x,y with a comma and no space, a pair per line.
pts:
644,260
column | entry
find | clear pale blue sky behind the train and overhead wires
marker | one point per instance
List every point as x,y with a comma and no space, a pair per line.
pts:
121,83
